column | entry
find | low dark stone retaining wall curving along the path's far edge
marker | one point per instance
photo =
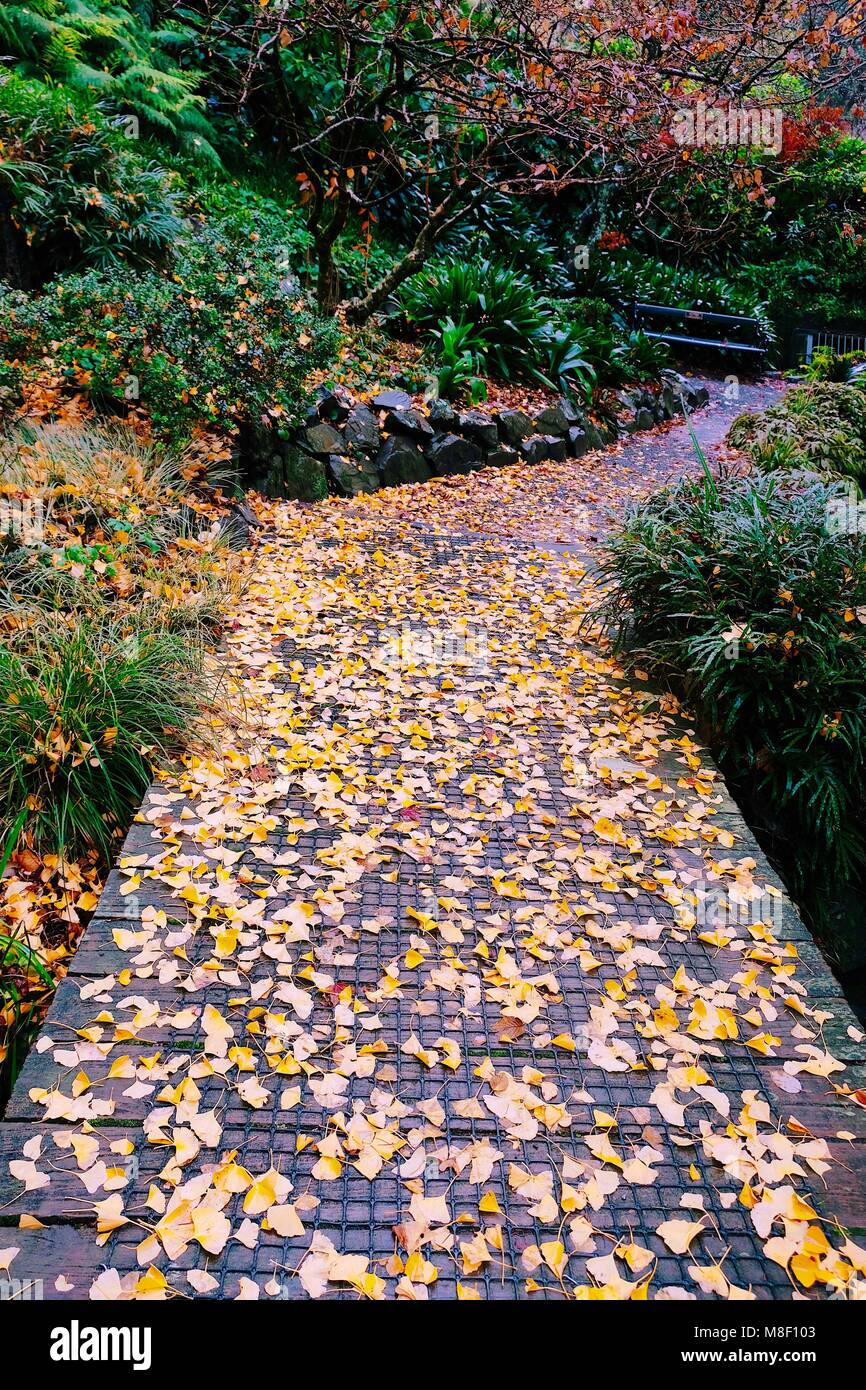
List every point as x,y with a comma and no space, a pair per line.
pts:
350,445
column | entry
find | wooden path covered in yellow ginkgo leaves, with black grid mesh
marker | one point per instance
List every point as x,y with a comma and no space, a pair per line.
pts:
404,995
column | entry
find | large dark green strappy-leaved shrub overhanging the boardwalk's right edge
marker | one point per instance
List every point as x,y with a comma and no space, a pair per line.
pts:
740,594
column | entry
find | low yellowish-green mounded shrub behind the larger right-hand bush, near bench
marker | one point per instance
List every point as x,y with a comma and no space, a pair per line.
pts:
821,426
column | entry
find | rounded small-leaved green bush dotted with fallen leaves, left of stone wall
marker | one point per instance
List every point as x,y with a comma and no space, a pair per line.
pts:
223,341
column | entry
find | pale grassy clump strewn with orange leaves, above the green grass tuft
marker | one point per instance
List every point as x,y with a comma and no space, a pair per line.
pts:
120,530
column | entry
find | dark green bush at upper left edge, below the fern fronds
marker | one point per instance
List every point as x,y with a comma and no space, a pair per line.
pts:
73,191
